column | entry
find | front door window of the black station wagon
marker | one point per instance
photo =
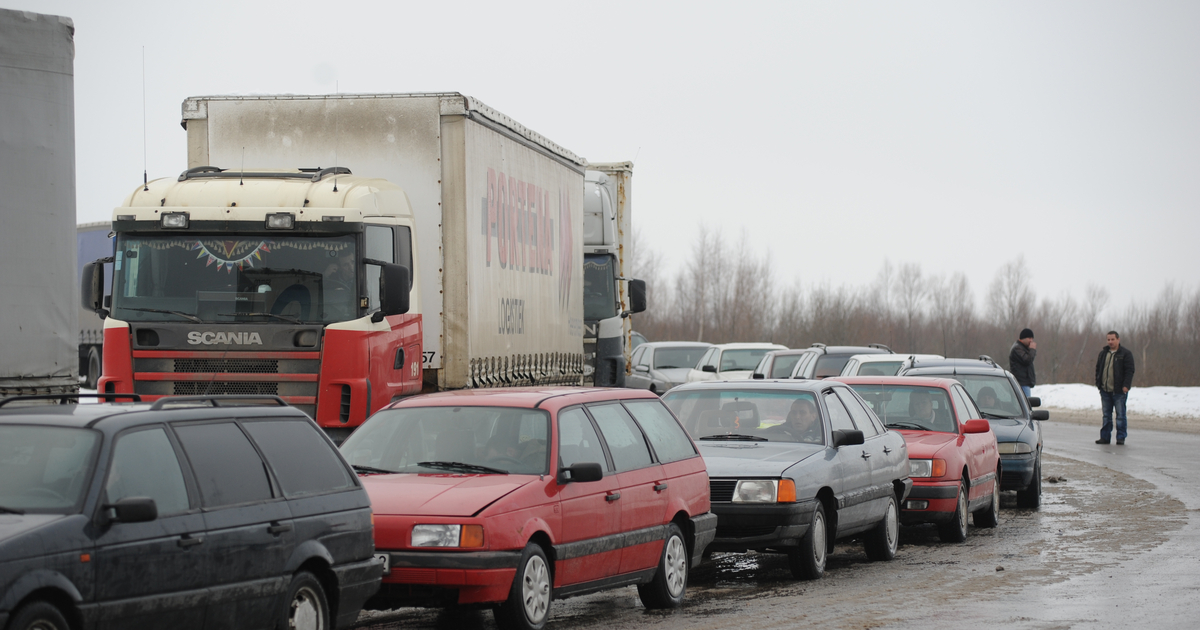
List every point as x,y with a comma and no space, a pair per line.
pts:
146,465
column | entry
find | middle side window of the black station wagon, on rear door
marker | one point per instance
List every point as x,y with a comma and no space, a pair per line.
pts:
227,467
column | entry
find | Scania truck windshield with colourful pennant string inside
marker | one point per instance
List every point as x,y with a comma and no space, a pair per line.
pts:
214,279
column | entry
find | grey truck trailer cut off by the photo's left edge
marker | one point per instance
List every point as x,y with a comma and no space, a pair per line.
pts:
39,287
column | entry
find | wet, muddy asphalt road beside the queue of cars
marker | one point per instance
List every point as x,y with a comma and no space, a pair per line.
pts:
1115,544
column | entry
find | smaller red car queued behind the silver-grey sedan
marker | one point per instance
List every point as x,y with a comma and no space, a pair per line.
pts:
952,452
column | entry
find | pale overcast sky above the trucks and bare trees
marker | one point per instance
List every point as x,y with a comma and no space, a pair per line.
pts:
837,135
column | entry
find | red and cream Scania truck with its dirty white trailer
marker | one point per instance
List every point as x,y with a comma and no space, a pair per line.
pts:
428,243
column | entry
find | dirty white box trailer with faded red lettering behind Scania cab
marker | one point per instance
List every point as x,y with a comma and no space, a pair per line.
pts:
499,213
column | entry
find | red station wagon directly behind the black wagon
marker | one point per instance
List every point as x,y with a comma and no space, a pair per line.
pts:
515,497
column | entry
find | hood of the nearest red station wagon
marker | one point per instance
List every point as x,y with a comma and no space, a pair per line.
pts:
439,495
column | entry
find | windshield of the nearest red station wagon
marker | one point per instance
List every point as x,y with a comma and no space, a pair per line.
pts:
452,440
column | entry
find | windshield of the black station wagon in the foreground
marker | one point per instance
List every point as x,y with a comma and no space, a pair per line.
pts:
45,470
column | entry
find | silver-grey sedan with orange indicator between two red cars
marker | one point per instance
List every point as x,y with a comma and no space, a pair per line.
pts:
795,466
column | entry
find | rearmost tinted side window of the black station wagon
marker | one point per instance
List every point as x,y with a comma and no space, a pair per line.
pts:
304,463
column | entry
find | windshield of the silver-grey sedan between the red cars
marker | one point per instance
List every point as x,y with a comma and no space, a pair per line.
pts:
767,416
